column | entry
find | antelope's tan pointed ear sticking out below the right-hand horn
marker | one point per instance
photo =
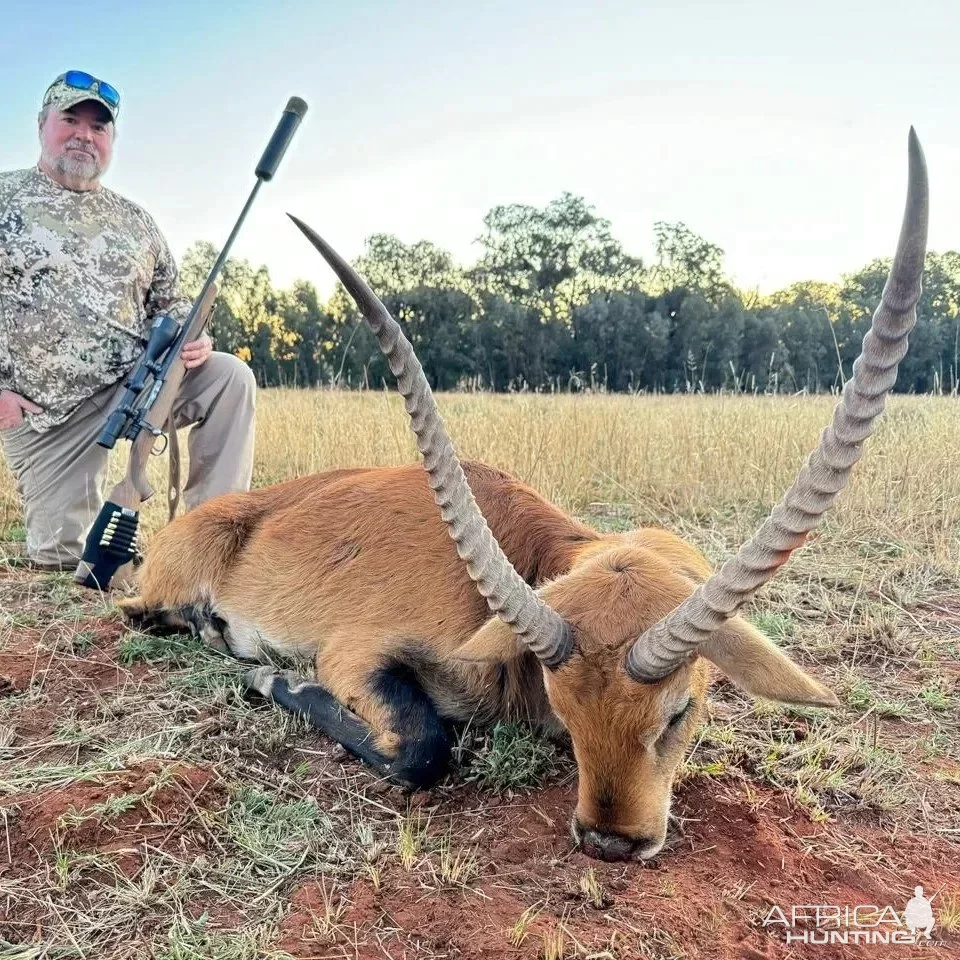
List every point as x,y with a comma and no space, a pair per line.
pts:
755,664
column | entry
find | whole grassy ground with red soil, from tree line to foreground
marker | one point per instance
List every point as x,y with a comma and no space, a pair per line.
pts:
147,809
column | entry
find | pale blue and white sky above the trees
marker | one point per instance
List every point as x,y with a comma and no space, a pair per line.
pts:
776,130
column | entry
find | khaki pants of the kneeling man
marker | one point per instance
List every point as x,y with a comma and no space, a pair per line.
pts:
60,473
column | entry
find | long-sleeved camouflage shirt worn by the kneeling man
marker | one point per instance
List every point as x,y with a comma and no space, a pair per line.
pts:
82,274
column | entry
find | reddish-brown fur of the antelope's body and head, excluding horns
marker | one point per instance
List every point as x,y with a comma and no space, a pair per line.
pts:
355,569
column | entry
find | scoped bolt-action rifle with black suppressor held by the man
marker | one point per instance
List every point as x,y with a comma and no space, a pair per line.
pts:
147,402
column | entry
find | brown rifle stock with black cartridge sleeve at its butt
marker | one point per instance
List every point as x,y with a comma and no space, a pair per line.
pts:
123,505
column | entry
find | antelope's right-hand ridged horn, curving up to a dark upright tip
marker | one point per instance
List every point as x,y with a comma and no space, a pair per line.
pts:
661,649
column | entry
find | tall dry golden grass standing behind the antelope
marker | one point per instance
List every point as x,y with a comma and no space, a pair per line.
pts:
707,465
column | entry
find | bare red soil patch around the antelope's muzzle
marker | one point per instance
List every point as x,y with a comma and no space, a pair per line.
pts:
734,857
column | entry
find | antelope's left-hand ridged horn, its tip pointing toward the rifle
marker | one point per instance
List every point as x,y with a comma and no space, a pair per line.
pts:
508,596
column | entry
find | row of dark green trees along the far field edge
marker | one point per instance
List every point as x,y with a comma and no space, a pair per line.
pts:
555,303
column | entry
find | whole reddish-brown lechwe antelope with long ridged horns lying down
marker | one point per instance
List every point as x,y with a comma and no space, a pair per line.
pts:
605,636
